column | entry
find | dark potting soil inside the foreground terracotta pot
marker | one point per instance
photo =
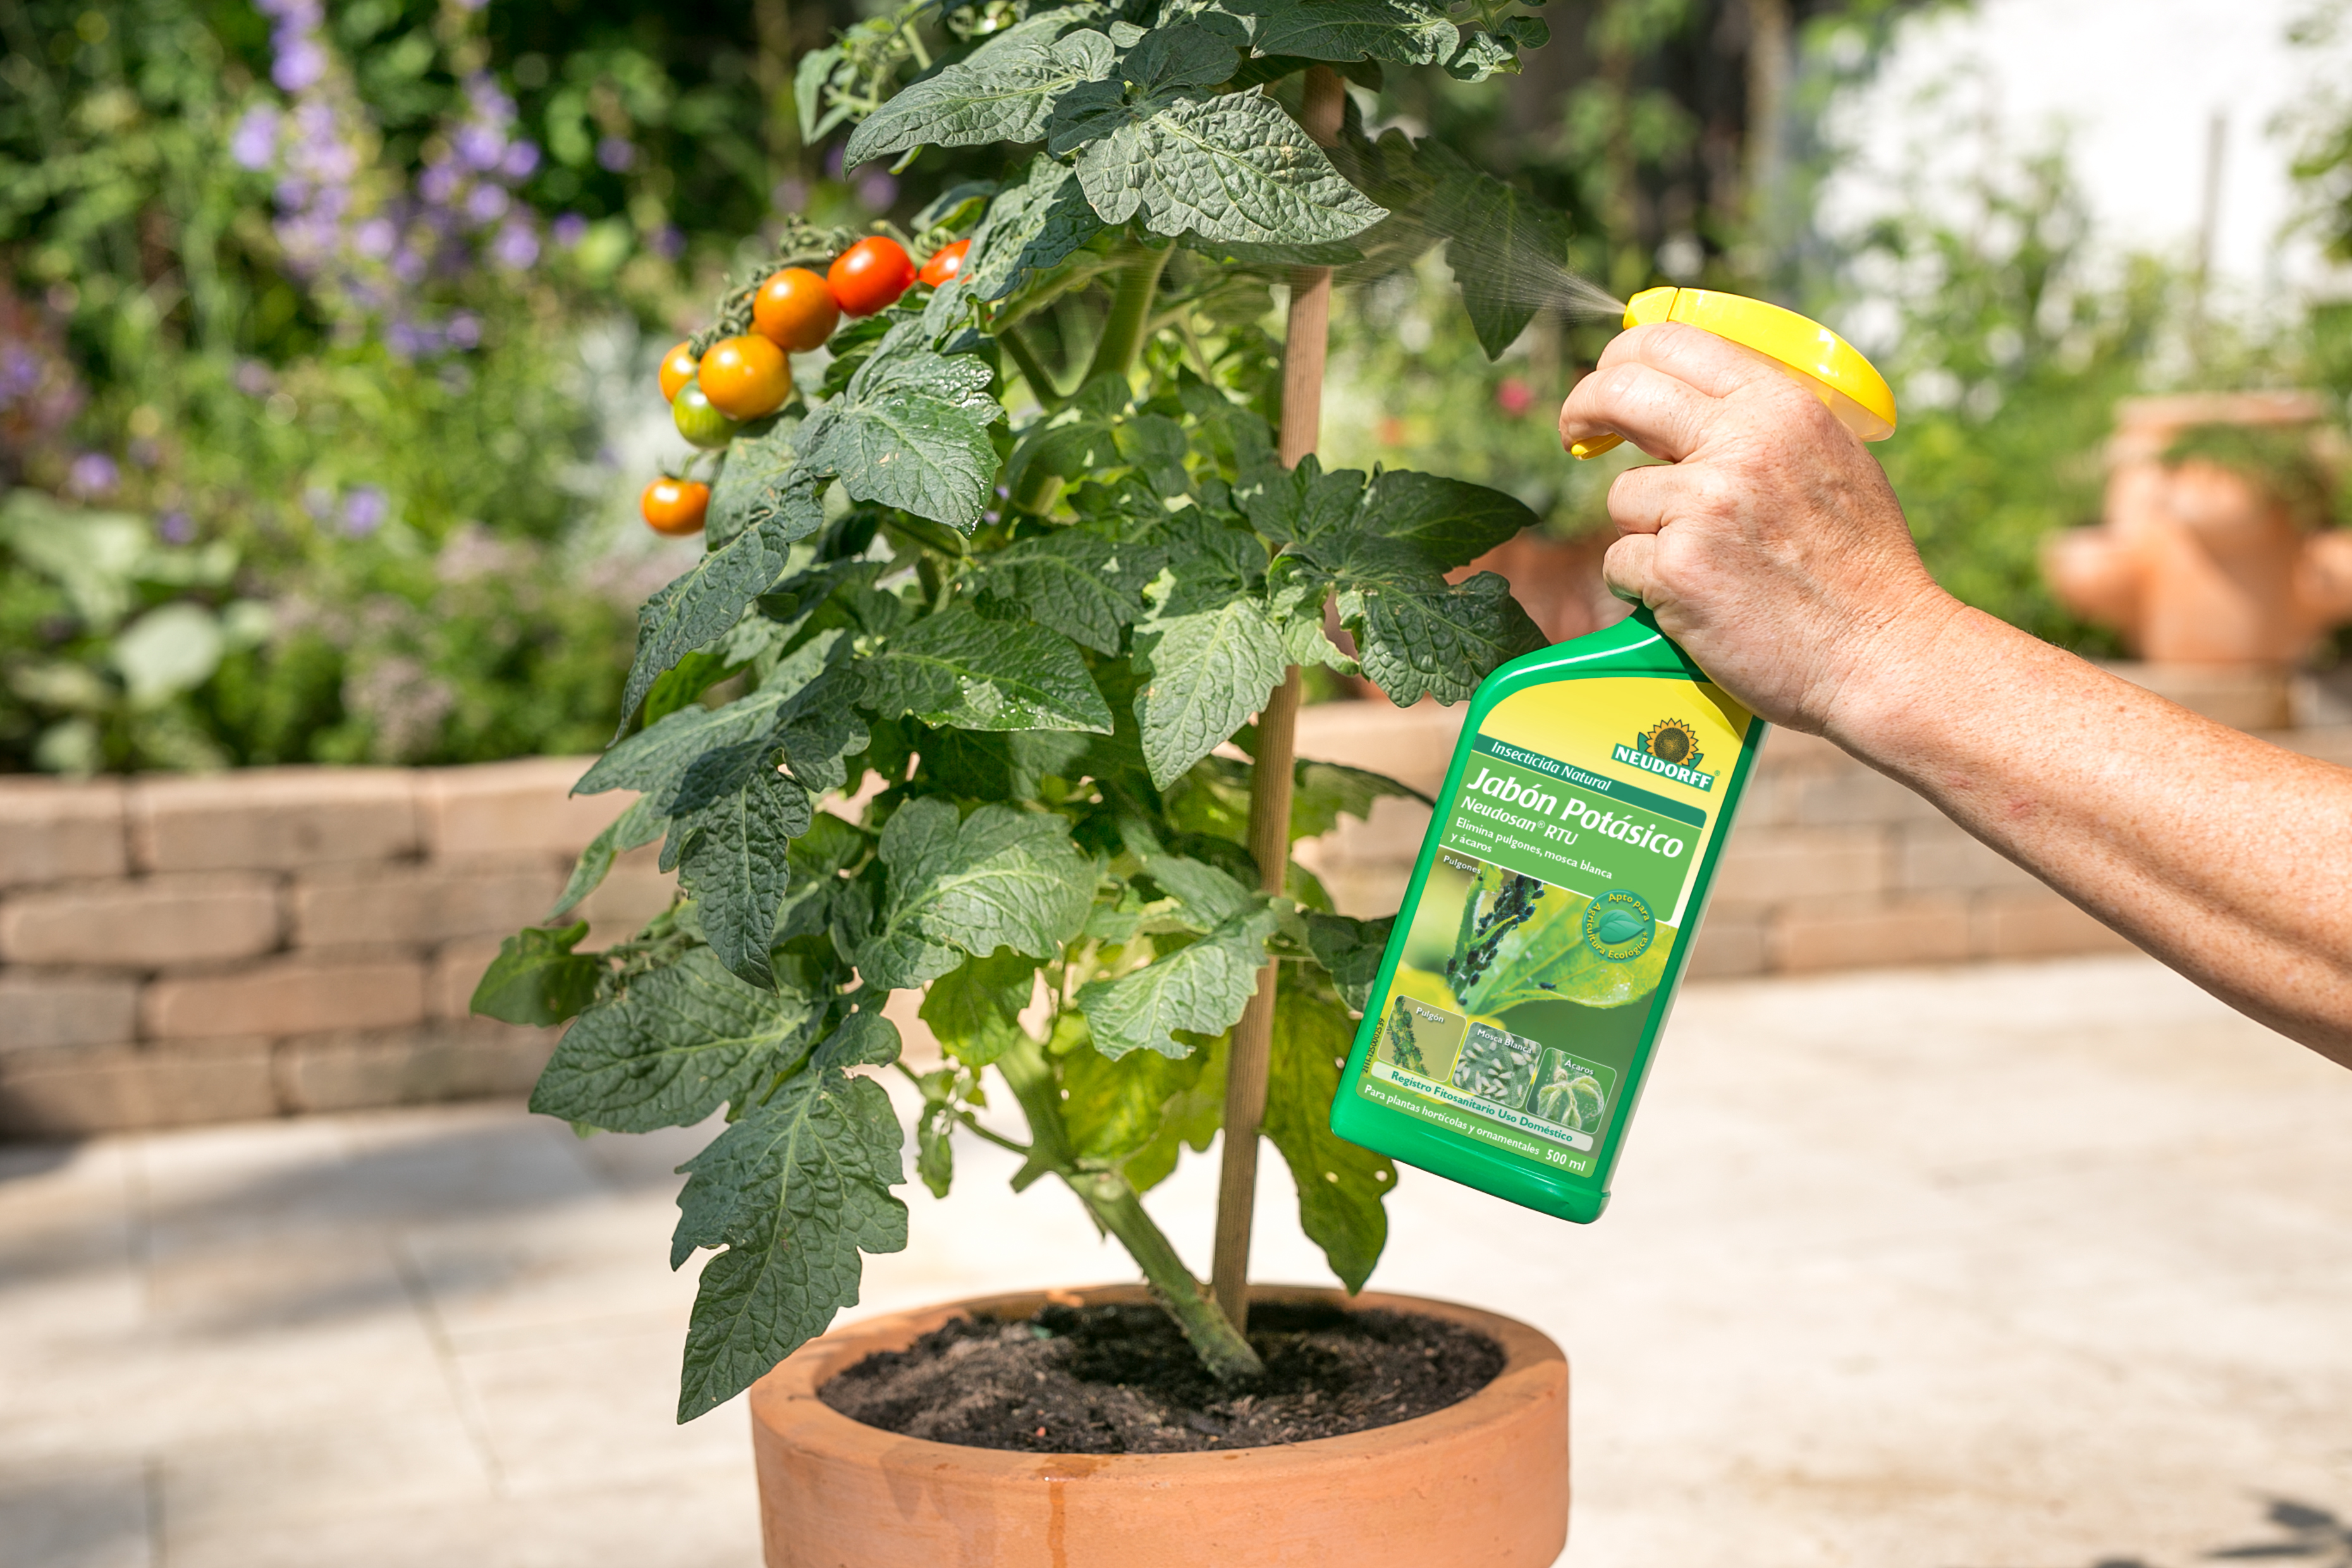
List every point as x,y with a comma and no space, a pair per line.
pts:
1125,1381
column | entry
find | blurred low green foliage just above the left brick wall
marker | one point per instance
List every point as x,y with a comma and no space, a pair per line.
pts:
121,650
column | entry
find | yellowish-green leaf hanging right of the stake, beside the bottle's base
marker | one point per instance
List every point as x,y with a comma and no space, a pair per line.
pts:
1342,1186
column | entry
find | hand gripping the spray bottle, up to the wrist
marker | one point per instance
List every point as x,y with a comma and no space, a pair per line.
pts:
1770,547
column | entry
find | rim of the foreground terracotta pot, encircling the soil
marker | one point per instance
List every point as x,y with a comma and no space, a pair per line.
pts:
787,1402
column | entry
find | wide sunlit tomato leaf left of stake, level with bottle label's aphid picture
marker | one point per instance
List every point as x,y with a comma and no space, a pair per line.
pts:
996,880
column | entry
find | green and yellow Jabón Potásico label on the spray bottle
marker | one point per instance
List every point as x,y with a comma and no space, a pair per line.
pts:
1537,942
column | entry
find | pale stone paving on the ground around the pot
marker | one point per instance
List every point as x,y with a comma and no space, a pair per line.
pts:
1979,1268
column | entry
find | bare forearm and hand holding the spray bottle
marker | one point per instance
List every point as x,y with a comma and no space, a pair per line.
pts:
1775,551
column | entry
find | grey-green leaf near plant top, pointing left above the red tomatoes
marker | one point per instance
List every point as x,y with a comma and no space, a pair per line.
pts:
1003,93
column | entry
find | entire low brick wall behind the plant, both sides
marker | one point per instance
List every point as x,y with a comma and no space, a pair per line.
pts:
307,939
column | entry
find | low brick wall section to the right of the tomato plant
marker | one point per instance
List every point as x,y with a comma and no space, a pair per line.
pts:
1831,864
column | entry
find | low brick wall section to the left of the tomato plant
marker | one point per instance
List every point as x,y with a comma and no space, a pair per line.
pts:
279,942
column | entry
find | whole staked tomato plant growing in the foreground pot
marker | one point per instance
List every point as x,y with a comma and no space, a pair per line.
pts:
1027,605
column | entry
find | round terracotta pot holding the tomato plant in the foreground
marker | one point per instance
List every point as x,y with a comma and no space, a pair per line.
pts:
1481,1485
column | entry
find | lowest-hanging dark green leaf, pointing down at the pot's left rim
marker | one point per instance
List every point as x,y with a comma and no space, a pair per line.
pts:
796,1193
